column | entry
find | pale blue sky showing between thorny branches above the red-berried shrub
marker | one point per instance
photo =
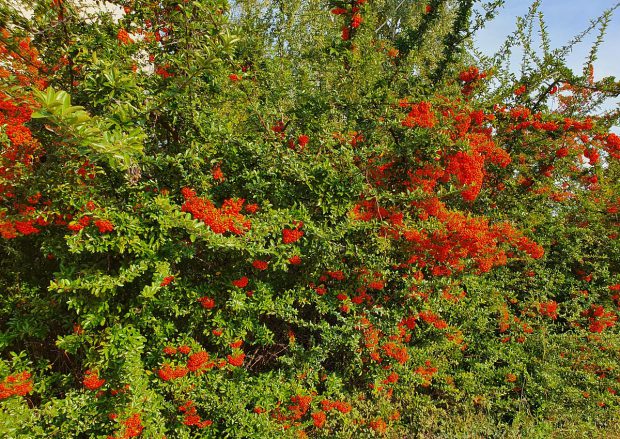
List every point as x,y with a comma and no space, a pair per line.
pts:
565,19
